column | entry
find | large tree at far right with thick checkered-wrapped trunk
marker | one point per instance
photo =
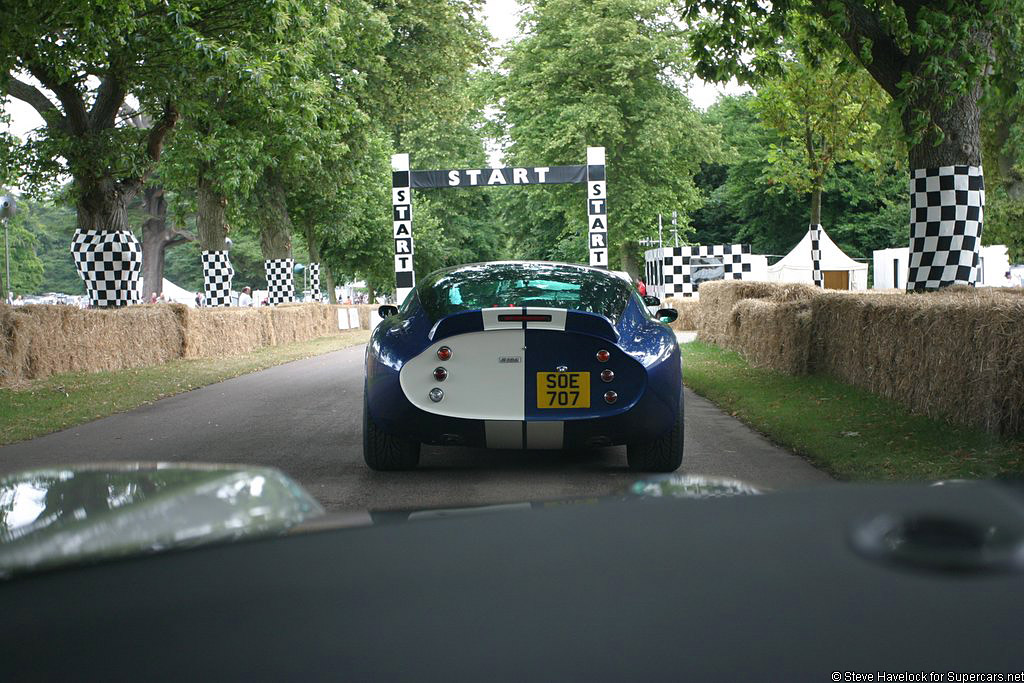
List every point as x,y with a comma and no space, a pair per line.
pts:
931,57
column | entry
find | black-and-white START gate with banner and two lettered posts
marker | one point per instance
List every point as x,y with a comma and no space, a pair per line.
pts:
404,181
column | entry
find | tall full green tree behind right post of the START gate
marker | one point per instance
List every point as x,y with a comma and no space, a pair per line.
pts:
600,74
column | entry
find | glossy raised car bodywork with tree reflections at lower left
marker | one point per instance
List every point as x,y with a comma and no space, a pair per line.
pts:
70,516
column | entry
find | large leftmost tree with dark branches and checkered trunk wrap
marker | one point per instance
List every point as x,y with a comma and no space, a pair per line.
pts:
53,55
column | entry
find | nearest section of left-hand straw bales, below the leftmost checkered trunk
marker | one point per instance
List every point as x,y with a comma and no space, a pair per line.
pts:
37,341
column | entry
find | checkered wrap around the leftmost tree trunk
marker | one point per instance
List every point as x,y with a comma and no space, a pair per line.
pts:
110,264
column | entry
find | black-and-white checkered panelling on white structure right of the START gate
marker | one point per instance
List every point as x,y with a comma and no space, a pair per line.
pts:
669,269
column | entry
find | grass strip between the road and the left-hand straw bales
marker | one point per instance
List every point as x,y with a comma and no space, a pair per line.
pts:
65,401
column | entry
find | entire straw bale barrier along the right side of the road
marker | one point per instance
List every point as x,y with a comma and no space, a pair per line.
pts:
956,355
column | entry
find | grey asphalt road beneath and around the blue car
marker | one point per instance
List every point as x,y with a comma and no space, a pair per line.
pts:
306,418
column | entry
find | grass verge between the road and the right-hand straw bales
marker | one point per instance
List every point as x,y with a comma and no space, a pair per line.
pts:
850,434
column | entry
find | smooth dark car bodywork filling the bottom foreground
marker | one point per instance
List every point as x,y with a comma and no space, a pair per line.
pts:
780,587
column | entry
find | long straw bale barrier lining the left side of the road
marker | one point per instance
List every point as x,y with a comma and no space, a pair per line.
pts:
39,341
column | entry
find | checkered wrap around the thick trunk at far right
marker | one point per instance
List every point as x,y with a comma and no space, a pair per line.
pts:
947,216
